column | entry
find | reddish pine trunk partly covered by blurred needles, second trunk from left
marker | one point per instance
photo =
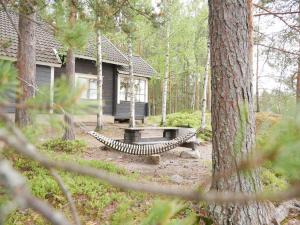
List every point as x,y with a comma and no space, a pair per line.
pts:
70,73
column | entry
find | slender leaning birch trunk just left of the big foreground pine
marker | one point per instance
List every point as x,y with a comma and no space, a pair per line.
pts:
204,98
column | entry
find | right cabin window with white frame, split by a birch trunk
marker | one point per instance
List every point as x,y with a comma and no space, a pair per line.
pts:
140,87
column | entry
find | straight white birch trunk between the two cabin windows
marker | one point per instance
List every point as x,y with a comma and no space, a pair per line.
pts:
99,126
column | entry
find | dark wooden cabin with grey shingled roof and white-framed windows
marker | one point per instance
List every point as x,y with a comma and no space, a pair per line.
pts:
49,67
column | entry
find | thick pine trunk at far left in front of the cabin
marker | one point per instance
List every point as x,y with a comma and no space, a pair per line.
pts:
26,62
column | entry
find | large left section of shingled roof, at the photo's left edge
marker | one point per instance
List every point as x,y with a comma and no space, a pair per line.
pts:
45,42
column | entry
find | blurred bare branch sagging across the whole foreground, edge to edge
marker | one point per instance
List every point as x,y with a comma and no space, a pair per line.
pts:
22,146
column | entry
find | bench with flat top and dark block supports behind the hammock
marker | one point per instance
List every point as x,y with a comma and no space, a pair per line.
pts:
134,135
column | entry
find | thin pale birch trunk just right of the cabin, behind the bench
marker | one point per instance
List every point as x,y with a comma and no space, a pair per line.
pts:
165,81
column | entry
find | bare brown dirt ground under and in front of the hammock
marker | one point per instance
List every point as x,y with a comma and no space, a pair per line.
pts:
172,170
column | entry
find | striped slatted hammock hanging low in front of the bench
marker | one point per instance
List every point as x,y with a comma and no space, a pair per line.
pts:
141,149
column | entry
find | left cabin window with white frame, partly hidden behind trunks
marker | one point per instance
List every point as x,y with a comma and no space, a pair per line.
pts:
90,86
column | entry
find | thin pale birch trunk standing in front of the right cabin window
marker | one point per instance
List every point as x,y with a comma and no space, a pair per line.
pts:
131,84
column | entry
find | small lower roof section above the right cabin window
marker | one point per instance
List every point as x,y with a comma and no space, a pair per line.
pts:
140,67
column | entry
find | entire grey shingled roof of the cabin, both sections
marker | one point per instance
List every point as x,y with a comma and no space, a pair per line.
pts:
46,46
